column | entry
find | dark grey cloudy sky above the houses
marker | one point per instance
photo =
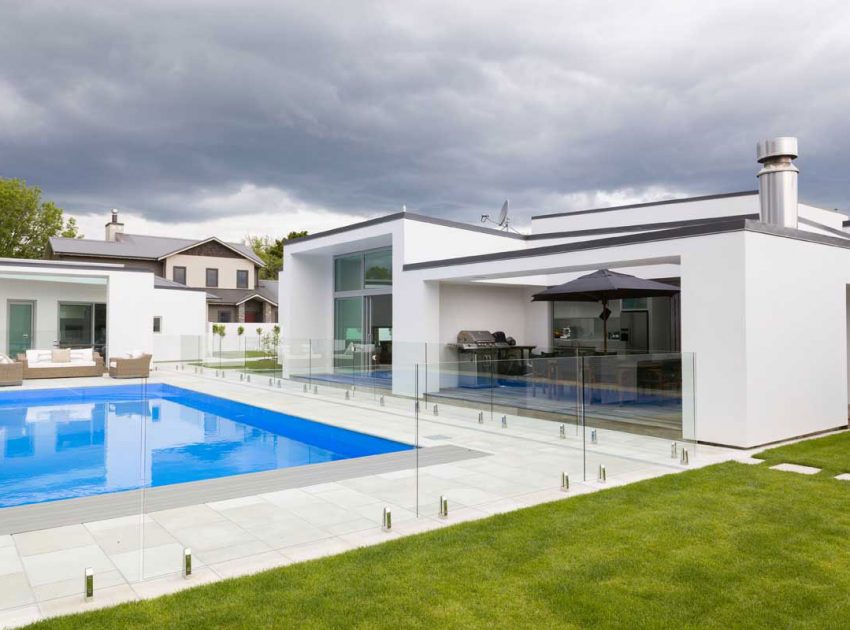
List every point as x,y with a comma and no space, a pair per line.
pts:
230,118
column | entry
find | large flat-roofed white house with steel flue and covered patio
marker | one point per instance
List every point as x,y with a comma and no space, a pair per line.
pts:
761,320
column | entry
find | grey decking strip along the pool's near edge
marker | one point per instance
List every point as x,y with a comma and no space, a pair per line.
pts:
38,516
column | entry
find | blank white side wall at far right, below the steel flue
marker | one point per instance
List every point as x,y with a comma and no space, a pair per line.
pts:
796,344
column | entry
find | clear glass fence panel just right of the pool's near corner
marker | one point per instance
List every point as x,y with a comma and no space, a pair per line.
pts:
497,434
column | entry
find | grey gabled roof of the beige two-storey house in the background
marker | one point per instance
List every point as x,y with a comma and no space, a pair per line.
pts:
140,247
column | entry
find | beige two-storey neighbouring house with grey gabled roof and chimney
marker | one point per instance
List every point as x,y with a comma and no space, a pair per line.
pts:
228,271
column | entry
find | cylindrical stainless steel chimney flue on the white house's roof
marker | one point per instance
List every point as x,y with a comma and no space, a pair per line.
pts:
778,181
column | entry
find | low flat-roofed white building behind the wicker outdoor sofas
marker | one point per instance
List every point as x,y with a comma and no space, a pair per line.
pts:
114,308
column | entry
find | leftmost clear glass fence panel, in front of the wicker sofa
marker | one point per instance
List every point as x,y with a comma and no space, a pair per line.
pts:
73,469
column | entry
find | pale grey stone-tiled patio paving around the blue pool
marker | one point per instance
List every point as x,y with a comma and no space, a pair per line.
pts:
139,556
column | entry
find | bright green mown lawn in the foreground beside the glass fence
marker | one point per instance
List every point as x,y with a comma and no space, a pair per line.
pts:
728,546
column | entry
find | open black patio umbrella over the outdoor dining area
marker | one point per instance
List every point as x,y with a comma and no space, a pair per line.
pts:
601,286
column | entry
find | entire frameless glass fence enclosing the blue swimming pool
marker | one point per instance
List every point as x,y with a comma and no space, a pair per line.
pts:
211,468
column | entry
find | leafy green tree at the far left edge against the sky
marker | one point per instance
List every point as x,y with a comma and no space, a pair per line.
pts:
27,222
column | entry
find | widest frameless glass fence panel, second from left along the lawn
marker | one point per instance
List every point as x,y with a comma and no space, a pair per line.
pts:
308,468
